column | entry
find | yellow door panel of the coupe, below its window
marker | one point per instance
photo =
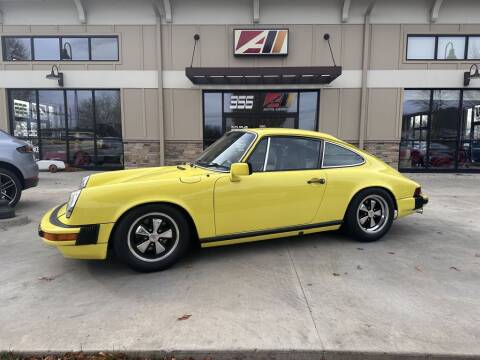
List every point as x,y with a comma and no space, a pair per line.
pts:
267,200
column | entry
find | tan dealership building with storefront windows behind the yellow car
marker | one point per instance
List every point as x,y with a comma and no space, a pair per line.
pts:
110,84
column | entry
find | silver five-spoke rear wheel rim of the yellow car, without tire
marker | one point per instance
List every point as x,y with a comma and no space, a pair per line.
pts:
372,214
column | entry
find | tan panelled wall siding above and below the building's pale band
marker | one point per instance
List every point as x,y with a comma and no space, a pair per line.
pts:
339,112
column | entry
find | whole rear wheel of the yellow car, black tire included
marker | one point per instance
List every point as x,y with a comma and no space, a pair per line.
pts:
366,224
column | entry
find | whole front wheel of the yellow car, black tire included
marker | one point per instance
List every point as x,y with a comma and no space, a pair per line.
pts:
137,243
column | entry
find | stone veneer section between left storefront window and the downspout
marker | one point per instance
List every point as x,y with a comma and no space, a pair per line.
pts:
141,153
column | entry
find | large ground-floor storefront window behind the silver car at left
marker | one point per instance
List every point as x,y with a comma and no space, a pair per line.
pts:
70,129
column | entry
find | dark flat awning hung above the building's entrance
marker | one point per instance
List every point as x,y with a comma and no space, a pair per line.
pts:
263,75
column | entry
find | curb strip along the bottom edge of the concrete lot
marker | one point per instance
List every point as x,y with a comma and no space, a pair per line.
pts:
240,355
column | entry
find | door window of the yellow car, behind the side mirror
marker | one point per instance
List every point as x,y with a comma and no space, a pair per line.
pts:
283,153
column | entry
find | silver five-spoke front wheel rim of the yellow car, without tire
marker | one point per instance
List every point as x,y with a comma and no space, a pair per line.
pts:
153,237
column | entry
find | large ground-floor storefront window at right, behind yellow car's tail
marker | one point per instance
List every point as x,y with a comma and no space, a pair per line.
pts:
440,129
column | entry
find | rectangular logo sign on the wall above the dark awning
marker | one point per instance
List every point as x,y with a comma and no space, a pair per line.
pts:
261,42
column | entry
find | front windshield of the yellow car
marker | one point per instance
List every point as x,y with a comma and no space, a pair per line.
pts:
227,150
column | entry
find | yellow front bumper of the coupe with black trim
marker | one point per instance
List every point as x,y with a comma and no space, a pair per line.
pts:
74,241
